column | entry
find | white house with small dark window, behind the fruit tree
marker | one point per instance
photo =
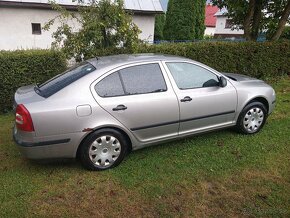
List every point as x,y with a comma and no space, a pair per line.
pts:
21,21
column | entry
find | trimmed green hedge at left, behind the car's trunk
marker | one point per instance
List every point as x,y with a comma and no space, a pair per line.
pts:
19,68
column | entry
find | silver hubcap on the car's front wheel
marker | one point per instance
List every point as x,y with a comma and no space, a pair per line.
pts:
253,119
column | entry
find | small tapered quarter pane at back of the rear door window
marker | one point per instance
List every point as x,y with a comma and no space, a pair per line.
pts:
110,86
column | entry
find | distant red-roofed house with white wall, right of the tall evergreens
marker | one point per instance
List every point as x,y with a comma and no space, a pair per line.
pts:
210,19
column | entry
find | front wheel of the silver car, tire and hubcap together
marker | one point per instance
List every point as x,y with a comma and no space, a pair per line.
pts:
252,118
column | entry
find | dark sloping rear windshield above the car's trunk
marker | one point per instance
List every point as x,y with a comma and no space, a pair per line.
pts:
60,81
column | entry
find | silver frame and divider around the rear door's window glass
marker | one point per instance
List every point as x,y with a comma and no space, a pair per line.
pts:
117,70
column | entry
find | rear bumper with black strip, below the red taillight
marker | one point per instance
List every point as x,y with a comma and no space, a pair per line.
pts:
58,147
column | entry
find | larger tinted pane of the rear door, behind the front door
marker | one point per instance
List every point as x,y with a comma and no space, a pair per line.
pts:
142,79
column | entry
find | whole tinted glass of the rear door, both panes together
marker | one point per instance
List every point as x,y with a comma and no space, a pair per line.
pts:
141,79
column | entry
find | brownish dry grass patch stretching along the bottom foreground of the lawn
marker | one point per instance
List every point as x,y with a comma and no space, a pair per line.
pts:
242,195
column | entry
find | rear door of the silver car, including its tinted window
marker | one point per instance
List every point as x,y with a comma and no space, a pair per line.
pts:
140,97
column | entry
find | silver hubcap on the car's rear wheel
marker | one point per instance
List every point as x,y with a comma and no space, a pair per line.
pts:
105,150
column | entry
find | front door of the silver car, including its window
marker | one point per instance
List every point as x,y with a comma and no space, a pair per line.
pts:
204,104
